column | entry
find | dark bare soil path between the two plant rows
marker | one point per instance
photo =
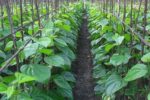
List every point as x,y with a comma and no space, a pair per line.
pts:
82,66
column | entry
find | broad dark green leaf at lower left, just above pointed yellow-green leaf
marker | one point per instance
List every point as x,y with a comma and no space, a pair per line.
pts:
40,72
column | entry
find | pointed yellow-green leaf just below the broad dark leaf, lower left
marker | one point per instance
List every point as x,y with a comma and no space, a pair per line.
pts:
22,78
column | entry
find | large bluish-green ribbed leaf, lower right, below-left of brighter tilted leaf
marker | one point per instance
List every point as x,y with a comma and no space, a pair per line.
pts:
114,83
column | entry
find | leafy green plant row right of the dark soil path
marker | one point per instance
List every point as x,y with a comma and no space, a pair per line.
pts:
119,66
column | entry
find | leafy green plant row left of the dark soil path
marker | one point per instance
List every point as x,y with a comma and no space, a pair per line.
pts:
44,71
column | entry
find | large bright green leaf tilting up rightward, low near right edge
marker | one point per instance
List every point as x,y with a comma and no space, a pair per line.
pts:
137,71
